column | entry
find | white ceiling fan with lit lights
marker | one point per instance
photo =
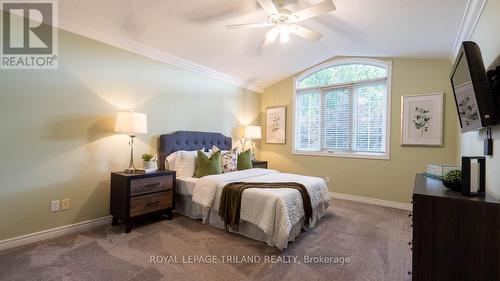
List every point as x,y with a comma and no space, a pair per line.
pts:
285,22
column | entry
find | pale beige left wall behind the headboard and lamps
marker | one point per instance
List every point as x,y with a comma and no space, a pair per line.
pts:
56,125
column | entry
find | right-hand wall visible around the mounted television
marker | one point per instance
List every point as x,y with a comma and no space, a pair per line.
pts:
486,36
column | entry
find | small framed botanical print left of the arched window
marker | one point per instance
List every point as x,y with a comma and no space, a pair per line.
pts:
275,124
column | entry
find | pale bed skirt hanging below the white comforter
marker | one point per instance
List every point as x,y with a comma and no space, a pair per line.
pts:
185,206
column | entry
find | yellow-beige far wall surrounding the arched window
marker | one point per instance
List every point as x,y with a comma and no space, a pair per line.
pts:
383,179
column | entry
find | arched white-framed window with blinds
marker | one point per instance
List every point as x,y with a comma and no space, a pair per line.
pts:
342,109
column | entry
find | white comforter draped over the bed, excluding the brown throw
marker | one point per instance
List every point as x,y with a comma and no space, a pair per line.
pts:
274,211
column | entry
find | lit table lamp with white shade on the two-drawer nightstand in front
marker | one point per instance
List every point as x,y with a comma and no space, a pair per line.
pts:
132,124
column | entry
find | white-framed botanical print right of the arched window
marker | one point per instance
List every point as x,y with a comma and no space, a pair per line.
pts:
422,119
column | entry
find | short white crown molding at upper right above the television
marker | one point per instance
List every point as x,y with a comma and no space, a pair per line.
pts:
471,17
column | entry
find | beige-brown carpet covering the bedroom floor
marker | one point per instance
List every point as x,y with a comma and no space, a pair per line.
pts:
375,239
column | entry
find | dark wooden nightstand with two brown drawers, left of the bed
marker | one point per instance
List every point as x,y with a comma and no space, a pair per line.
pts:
134,196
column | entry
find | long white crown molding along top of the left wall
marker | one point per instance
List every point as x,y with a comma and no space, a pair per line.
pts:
156,54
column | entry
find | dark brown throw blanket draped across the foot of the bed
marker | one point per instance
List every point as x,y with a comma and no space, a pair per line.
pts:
230,201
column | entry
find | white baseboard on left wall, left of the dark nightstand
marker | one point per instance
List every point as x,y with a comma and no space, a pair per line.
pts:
52,233
